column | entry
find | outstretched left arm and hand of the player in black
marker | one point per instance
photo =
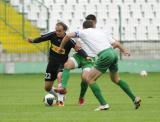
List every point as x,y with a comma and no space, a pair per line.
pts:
41,38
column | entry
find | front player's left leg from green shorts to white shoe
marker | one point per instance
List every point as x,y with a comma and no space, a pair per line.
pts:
105,59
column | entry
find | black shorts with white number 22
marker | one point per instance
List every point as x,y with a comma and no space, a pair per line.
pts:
52,70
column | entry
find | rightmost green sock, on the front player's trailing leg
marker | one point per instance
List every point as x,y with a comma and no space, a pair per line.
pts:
126,89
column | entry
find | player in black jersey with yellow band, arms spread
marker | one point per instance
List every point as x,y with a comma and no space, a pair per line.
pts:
57,60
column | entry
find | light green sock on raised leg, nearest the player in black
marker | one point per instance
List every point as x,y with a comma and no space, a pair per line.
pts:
65,77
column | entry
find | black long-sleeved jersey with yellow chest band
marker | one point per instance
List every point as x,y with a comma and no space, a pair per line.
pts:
55,43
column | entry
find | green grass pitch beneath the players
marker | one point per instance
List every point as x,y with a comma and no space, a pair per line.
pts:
21,100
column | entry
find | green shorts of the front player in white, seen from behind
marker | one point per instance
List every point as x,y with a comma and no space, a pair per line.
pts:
107,59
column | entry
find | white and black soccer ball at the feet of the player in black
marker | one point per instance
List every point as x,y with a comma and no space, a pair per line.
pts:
50,100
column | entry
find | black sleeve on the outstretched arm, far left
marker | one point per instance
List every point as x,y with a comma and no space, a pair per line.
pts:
43,38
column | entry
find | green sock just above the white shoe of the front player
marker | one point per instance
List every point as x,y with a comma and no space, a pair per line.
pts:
97,92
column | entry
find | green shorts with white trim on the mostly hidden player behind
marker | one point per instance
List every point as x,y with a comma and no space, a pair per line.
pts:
81,62
